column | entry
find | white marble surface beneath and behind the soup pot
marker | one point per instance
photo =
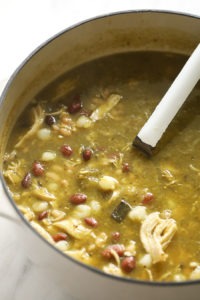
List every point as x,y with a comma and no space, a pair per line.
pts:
23,26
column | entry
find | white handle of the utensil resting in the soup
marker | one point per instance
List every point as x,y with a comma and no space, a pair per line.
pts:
176,95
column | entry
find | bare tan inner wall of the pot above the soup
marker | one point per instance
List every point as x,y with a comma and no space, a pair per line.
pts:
131,31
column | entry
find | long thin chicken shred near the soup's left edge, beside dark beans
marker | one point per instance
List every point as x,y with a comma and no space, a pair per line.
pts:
38,118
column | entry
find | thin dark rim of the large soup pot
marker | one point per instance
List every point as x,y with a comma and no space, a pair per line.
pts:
2,96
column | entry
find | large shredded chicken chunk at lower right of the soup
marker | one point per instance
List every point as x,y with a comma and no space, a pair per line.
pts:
156,234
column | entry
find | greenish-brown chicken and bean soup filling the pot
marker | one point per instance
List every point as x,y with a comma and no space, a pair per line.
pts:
73,172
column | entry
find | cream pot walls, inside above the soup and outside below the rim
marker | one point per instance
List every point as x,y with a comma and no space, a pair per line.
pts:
121,32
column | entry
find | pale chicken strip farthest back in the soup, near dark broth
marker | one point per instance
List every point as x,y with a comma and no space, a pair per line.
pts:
103,109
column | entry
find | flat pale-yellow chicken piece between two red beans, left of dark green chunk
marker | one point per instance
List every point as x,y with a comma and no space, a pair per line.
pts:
73,227
